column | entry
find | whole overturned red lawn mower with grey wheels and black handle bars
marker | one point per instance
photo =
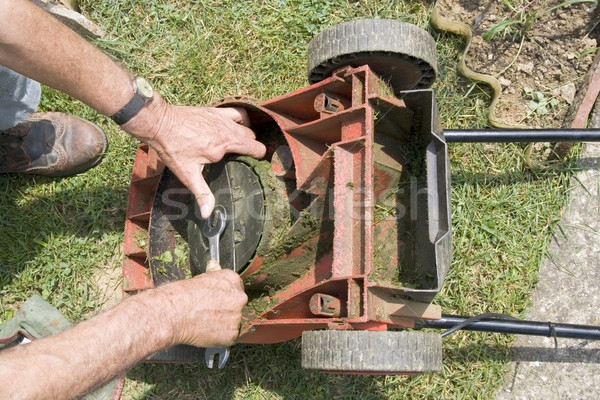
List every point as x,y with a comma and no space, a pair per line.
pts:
343,230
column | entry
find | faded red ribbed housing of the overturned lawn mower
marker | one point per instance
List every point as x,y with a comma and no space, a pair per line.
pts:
332,154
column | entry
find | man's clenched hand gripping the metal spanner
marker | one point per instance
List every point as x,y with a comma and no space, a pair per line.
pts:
207,309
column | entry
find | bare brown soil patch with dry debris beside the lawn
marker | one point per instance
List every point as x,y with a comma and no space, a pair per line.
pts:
550,59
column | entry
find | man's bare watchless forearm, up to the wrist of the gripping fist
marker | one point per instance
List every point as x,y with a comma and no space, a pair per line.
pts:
91,354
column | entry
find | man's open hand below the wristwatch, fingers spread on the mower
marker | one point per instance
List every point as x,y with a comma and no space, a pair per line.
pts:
186,138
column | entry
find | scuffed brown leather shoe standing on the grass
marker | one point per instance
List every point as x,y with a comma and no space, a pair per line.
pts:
51,144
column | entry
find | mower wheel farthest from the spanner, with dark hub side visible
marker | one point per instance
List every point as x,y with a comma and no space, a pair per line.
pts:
398,52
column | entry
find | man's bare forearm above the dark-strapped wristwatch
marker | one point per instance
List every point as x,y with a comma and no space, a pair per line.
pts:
40,47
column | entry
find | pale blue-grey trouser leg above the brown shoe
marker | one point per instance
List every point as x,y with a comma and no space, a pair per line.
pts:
19,97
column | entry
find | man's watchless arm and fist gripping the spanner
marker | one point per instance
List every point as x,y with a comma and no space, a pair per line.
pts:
204,311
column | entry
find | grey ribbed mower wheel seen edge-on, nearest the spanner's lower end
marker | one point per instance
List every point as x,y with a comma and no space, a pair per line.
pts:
372,351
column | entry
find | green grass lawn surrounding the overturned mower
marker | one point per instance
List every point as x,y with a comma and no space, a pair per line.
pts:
57,233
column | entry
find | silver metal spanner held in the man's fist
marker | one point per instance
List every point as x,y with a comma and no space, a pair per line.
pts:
212,227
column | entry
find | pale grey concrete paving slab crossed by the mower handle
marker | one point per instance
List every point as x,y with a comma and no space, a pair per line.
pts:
568,292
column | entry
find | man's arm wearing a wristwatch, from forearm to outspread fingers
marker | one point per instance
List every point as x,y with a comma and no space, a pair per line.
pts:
40,47
